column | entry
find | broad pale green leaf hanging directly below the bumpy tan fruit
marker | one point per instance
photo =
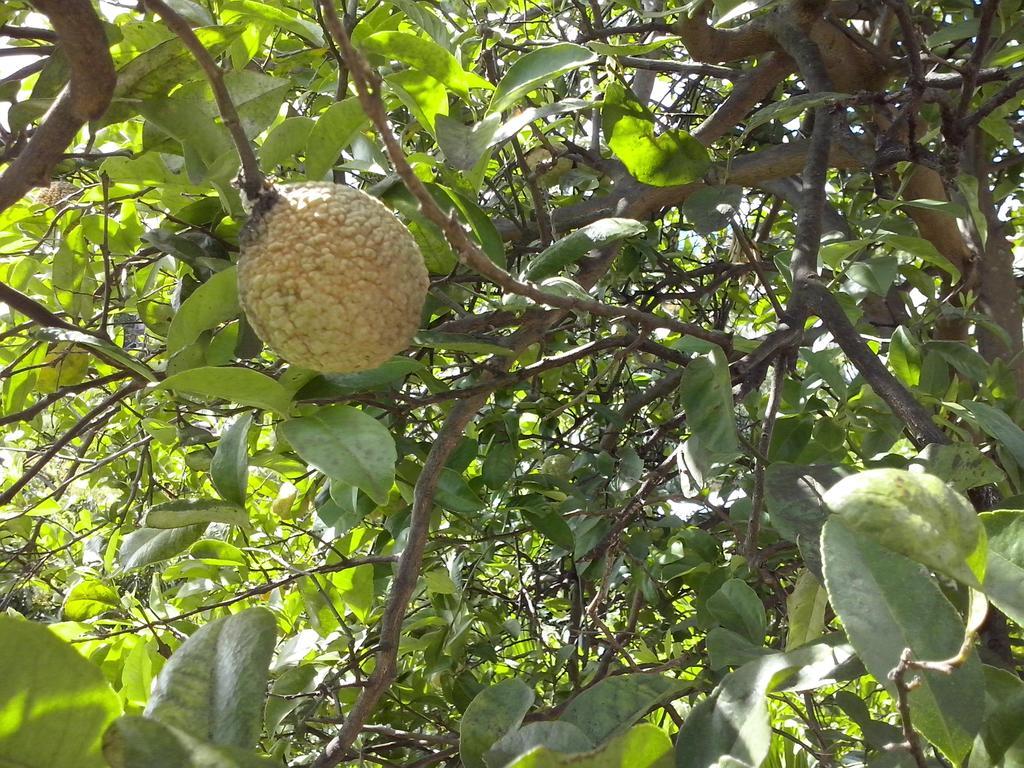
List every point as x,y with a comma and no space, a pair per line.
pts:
347,445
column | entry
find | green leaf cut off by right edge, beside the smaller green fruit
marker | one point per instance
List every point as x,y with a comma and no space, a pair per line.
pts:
1005,573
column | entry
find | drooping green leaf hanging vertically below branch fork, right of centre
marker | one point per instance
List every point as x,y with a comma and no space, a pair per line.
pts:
706,393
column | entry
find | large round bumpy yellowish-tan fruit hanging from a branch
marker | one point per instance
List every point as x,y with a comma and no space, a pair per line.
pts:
330,279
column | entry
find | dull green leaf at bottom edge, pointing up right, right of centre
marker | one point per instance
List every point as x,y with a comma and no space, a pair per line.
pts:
617,703
